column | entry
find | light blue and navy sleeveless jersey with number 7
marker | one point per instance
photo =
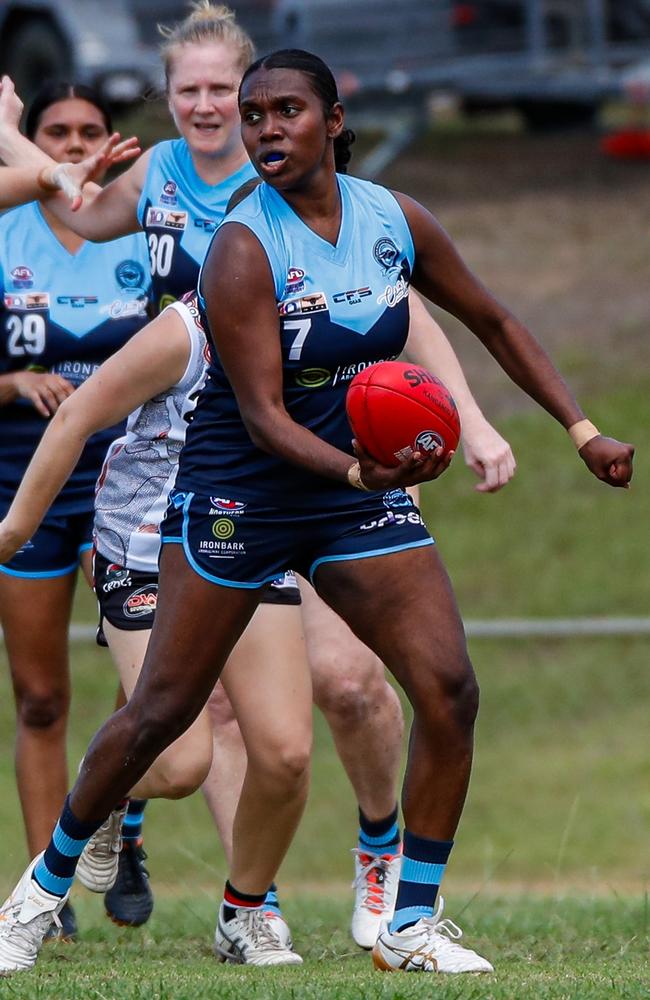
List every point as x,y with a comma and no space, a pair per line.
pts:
340,309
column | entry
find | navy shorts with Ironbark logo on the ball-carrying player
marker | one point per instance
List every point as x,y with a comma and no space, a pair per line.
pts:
240,543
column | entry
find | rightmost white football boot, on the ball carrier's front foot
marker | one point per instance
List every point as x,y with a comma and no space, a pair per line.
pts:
428,946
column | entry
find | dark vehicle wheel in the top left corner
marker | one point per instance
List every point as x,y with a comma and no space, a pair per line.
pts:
35,52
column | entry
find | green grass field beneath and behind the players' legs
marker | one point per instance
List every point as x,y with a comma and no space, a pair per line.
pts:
550,874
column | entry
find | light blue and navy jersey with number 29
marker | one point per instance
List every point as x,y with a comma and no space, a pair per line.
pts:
63,313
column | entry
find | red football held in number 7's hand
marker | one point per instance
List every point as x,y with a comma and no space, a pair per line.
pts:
396,408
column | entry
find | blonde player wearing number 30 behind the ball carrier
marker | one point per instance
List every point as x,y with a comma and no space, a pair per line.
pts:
177,193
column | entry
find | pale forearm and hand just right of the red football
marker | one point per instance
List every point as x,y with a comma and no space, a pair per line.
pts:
486,452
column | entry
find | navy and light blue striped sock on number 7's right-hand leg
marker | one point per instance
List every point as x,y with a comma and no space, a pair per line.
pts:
423,865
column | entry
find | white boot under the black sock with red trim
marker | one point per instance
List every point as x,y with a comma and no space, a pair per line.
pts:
251,938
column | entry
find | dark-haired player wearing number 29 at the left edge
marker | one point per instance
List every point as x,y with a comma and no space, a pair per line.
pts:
66,306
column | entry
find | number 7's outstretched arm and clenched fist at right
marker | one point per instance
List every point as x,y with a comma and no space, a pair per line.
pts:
442,276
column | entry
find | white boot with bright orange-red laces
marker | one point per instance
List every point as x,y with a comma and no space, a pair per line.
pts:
376,880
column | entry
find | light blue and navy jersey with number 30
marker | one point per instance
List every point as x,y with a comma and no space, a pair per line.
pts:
179,213
